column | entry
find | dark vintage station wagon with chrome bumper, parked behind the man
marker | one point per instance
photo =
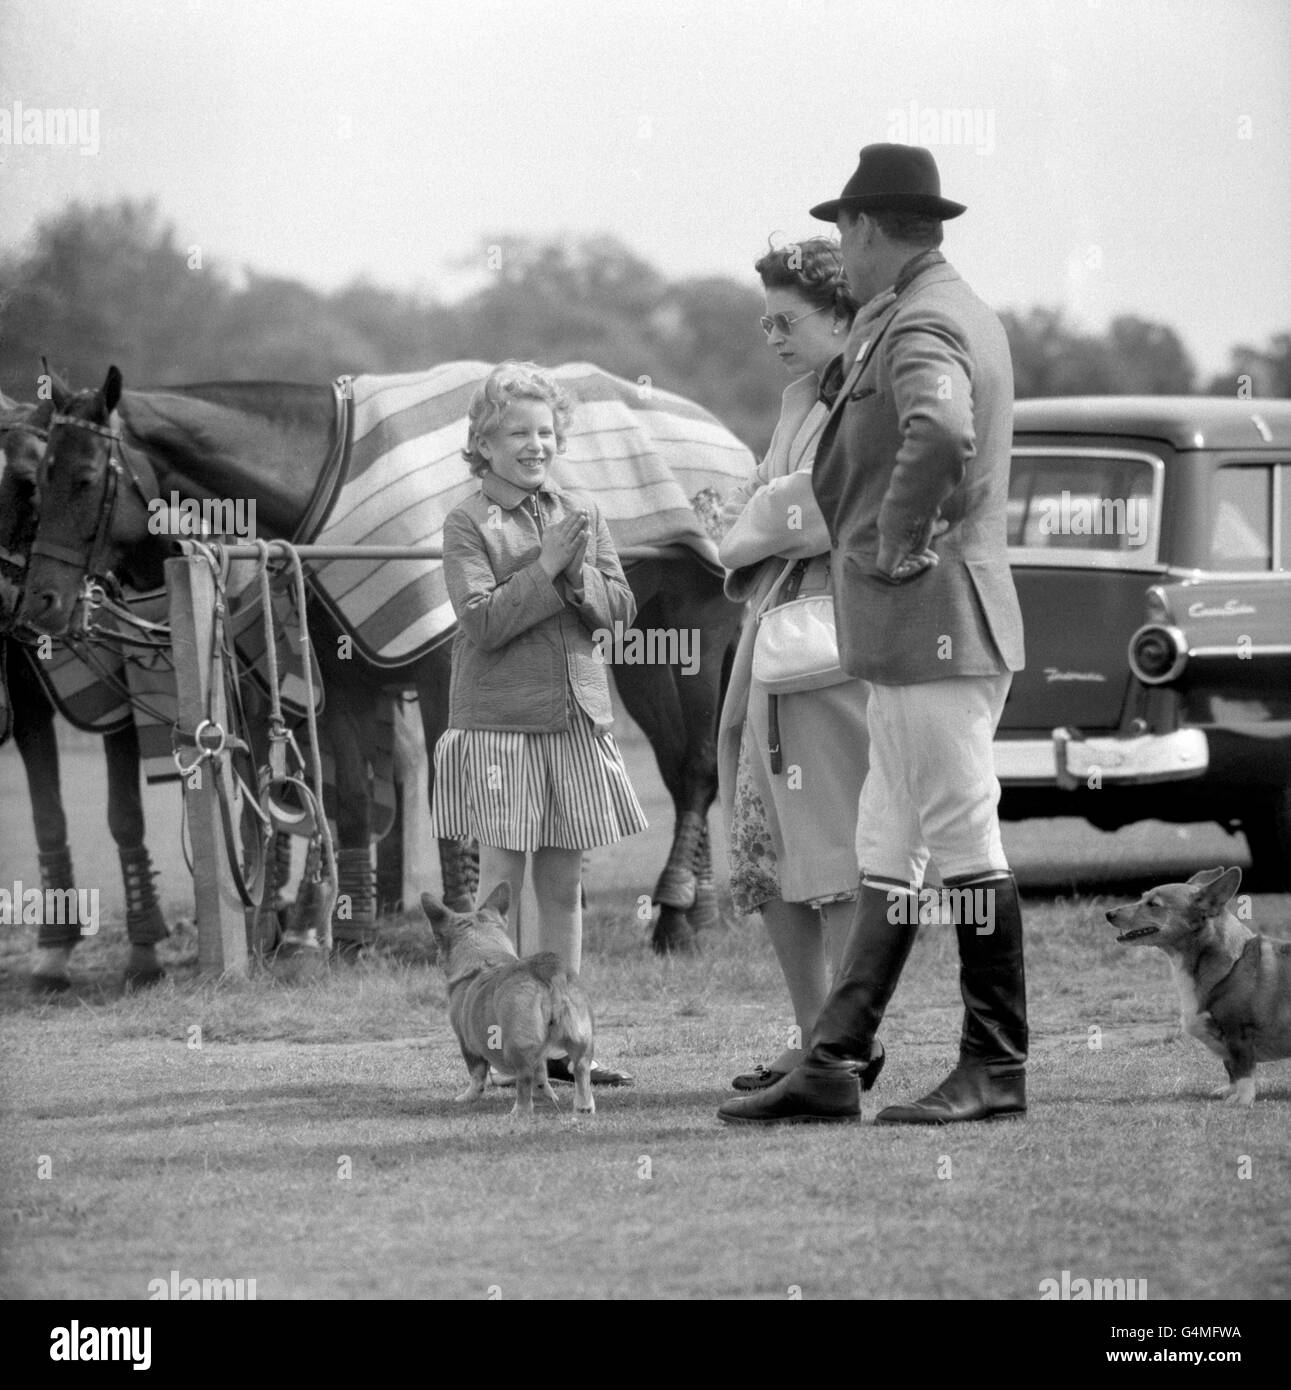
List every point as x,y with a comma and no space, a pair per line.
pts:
1151,546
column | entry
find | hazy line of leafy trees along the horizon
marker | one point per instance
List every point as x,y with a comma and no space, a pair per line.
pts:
112,283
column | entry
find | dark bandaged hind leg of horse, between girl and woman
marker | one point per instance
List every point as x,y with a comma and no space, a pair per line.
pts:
679,712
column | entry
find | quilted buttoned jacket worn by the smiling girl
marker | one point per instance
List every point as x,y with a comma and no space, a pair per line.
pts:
525,646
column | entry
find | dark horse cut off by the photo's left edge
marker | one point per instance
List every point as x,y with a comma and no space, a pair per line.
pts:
27,710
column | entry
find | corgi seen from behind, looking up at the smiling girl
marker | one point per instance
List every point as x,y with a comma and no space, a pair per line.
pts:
509,1013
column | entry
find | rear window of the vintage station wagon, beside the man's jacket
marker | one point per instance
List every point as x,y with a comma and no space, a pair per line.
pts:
1080,504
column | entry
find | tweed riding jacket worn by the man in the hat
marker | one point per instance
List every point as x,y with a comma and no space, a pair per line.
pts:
916,454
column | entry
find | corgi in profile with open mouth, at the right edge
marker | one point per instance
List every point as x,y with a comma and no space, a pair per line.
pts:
1235,986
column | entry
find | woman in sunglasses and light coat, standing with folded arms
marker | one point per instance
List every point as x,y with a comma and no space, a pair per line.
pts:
793,819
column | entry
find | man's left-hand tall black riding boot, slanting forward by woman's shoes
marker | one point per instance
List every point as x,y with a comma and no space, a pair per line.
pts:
825,1086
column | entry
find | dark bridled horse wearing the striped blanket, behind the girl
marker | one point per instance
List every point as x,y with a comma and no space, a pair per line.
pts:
115,455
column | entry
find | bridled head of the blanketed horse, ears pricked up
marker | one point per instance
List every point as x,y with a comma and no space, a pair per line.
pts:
94,502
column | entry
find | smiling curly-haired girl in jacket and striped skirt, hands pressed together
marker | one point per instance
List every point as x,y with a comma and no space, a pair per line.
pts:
529,765
